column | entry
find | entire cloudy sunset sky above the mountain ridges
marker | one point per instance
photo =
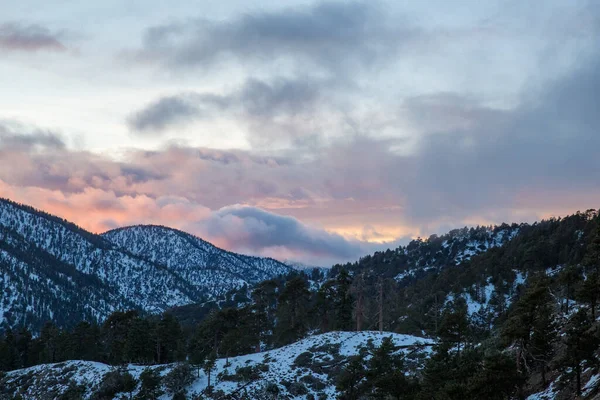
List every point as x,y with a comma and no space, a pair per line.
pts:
314,131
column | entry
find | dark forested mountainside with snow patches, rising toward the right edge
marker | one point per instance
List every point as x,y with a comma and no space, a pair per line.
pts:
483,267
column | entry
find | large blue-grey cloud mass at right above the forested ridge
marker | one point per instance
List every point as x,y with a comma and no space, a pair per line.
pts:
495,159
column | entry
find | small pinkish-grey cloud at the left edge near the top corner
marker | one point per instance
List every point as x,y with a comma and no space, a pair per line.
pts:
29,37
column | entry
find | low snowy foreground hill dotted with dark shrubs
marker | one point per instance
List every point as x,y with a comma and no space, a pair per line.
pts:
308,367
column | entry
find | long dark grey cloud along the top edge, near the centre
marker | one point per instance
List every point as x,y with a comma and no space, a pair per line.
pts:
333,35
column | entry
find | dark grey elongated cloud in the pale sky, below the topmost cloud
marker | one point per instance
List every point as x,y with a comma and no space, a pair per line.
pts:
268,111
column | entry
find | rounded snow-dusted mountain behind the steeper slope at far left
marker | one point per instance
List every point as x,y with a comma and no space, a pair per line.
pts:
210,269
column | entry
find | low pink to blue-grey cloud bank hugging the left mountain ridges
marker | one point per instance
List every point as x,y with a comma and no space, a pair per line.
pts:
249,230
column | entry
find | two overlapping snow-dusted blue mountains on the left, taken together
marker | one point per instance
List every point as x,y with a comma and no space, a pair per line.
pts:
54,270
